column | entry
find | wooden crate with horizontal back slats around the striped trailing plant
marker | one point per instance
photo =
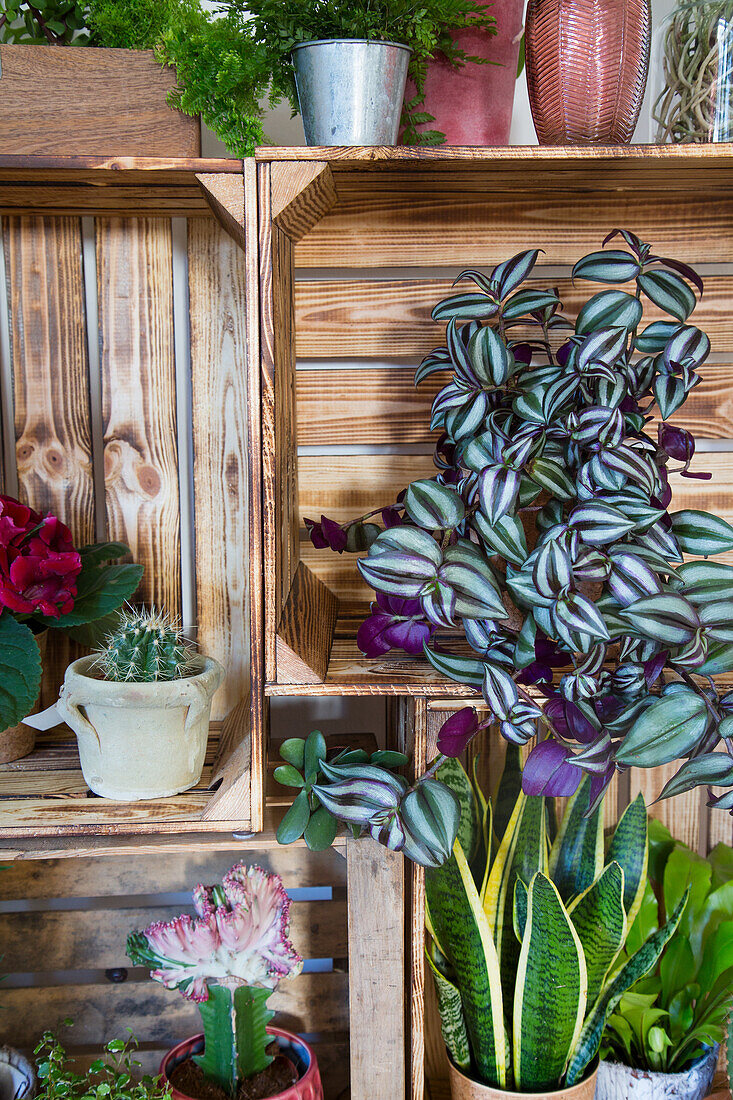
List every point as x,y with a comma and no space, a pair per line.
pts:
356,247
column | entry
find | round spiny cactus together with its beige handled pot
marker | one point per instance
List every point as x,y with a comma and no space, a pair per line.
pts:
146,698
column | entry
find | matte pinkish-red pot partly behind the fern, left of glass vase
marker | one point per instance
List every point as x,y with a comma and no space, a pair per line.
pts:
473,106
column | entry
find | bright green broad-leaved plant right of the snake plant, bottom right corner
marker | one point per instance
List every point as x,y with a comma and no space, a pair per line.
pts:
668,1019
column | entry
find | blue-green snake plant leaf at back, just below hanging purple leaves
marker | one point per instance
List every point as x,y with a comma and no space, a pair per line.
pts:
577,855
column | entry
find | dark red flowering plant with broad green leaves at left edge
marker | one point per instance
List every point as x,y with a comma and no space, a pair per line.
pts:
46,581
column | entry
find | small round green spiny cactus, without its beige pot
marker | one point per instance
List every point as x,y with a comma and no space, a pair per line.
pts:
148,646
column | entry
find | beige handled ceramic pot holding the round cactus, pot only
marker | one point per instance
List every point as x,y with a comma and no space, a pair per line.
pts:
140,741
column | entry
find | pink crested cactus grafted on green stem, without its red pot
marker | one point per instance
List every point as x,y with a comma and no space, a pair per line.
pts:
228,960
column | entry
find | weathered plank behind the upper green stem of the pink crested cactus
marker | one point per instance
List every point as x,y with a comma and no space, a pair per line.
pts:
314,1003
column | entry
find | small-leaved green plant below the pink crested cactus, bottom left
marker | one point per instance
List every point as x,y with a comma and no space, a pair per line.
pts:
112,1077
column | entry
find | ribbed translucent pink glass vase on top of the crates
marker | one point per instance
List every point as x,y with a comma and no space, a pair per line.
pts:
587,68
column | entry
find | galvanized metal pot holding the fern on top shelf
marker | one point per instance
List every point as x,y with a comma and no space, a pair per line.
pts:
352,91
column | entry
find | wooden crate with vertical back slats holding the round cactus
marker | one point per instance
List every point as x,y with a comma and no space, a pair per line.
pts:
123,378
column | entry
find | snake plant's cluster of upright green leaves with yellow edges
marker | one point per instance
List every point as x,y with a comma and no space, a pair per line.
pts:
526,931
